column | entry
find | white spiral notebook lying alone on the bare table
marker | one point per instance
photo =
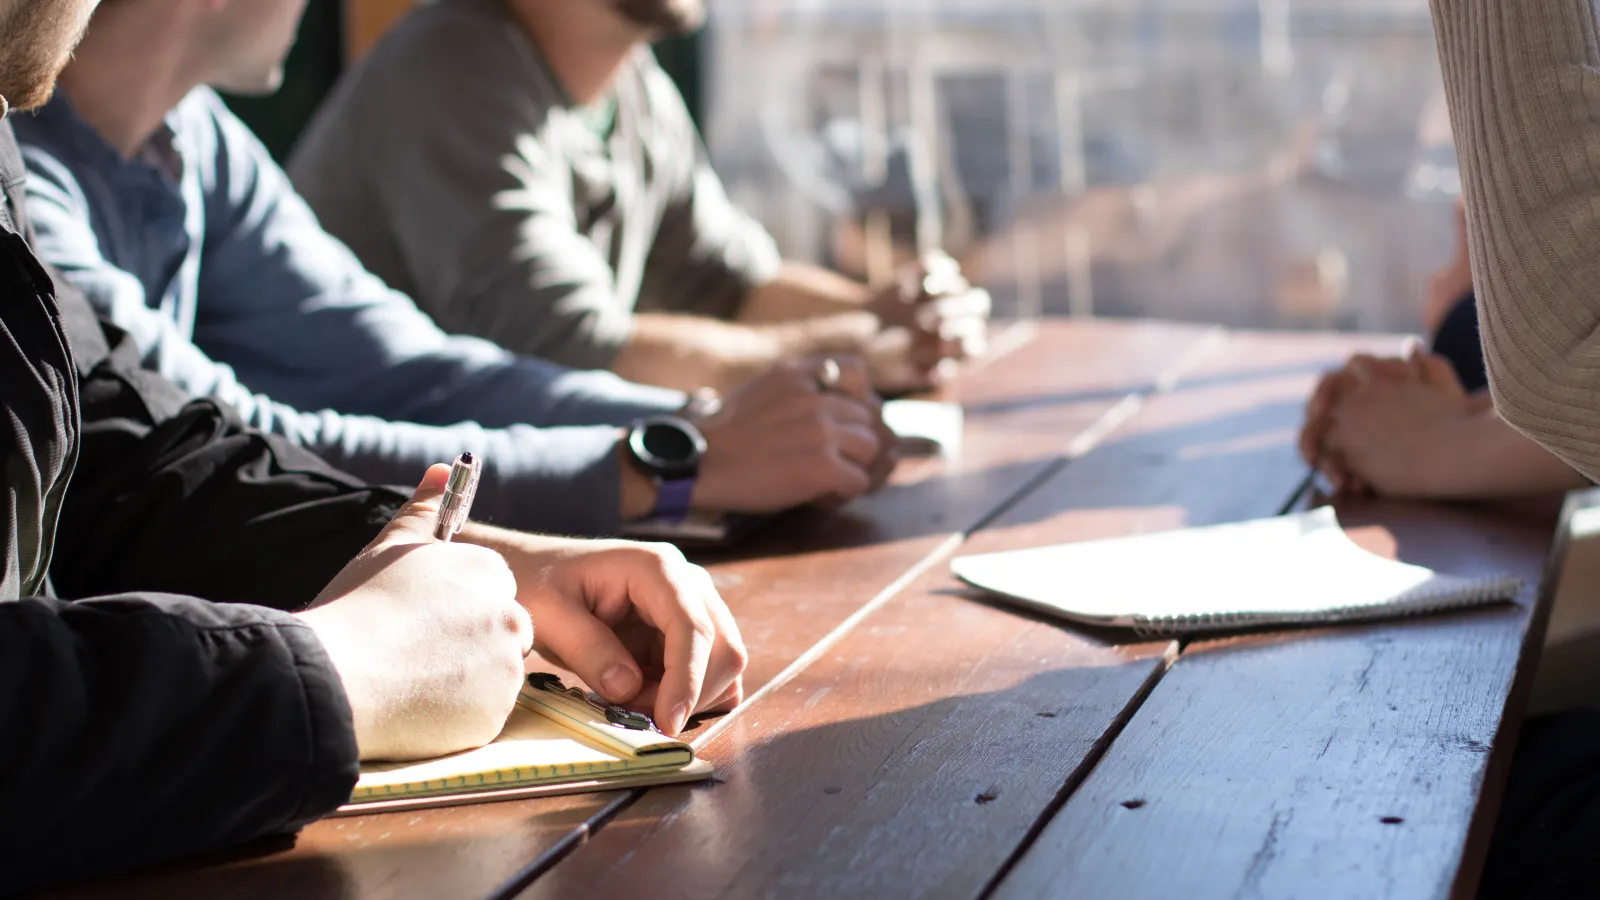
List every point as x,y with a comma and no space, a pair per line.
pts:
1297,569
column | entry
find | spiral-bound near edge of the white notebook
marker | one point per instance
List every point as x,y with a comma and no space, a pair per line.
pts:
1428,598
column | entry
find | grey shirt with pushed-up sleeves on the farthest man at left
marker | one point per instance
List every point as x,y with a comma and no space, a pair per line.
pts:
474,203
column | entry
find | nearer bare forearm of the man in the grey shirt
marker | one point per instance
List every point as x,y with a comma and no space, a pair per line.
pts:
690,352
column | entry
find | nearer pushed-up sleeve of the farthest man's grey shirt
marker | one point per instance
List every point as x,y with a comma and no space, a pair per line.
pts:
484,230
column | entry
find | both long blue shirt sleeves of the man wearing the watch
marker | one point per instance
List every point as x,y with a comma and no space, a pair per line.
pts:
337,339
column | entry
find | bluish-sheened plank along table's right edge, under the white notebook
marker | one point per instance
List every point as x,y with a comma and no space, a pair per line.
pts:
1340,763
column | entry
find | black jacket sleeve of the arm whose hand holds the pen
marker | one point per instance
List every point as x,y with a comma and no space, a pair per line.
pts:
138,729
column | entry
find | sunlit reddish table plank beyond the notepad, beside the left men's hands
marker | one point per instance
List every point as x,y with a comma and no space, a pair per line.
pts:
801,581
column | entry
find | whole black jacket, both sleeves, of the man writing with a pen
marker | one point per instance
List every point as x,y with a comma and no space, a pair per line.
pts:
140,728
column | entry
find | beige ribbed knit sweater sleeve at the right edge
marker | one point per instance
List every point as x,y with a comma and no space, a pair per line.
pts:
1524,86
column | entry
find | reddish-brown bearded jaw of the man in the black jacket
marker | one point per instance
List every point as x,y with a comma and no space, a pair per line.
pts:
38,39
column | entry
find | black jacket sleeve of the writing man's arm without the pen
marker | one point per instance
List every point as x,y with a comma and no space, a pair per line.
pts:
180,497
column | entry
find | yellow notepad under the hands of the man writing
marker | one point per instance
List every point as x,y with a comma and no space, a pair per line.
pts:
553,744
